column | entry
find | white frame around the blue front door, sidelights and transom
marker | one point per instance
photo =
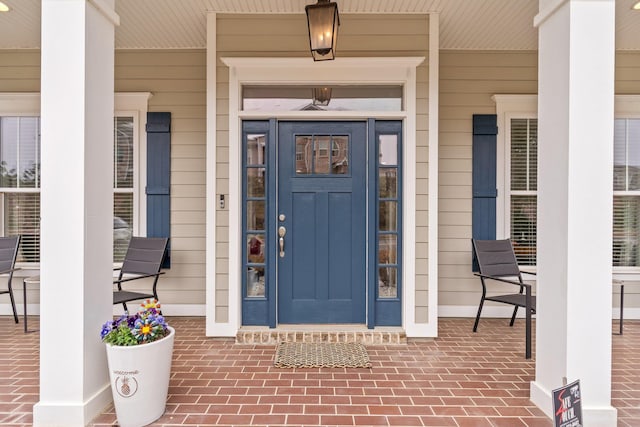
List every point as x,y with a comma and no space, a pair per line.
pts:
304,71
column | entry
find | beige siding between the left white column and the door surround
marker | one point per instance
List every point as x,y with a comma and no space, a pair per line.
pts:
177,80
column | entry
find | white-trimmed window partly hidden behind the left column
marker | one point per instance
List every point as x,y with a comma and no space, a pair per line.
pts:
20,172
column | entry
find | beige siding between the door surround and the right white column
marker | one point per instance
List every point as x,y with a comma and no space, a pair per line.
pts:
467,82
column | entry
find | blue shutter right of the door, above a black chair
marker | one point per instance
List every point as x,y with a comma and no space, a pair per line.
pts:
485,131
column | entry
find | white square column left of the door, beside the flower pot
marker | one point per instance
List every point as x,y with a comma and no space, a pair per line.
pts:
77,84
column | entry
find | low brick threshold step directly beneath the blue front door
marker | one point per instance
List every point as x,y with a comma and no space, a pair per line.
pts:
321,333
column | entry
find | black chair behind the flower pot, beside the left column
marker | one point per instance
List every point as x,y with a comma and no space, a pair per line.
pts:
143,260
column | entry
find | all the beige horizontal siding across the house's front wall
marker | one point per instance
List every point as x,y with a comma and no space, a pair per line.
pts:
177,81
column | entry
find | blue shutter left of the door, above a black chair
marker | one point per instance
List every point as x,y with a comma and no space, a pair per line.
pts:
158,178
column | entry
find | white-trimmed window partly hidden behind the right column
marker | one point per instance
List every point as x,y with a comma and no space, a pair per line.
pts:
517,154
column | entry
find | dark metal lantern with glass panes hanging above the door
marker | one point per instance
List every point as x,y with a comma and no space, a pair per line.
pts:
323,22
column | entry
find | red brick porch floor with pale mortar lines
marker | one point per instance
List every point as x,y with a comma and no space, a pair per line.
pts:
459,379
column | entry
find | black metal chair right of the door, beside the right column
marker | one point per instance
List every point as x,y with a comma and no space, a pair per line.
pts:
497,262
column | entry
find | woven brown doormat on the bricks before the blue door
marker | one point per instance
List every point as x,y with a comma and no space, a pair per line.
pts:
321,355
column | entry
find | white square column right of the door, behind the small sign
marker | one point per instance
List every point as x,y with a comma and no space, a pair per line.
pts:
575,112
